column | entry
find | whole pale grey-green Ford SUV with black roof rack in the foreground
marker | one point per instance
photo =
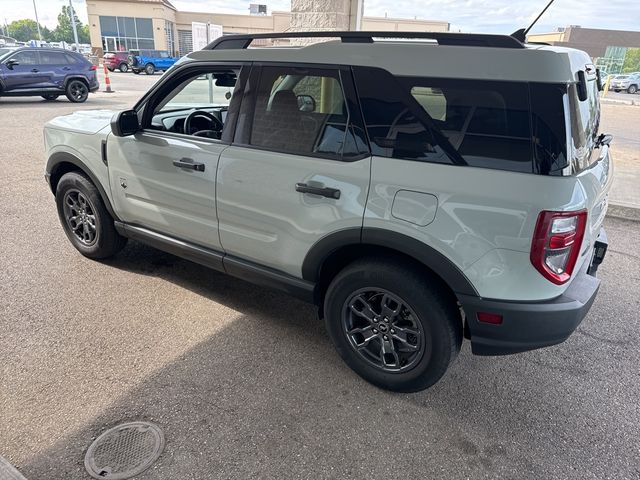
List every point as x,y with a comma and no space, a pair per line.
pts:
417,192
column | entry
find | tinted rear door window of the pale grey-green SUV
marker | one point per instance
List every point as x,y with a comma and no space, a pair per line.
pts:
303,111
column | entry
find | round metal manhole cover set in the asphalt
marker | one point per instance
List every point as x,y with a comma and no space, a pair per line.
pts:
124,451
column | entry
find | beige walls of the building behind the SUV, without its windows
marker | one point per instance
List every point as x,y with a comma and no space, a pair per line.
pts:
161,10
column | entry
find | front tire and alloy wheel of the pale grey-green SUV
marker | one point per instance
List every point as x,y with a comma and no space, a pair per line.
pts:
80,207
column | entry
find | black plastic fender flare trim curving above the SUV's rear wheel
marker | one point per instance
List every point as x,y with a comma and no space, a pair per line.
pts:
423,253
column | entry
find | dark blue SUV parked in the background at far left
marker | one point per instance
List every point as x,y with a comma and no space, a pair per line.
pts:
48,72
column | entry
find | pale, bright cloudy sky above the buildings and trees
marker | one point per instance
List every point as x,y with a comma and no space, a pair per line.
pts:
484,16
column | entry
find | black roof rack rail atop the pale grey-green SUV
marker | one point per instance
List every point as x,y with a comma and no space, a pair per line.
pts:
239,42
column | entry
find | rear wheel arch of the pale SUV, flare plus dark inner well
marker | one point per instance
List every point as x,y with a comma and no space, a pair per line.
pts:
330,254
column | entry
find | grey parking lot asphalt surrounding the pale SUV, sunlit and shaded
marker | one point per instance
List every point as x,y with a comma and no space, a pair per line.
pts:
244,381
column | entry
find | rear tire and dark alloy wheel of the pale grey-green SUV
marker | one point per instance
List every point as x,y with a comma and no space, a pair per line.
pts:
425,331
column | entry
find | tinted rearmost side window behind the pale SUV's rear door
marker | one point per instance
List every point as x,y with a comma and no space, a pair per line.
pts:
468,122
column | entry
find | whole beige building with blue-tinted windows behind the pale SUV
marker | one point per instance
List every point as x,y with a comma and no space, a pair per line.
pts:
121,25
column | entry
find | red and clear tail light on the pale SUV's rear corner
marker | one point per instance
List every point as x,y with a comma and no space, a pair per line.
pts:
556,244
